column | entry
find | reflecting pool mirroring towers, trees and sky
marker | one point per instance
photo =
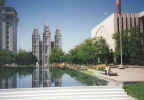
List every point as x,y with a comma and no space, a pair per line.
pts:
38,77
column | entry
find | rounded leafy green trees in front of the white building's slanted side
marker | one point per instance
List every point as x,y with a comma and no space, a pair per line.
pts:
91,51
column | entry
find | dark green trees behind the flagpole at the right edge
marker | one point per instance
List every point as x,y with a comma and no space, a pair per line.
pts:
131,45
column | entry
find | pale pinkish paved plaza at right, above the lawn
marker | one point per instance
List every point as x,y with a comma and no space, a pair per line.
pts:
124,75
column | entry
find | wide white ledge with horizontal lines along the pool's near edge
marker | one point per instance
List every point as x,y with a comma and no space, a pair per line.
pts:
66,93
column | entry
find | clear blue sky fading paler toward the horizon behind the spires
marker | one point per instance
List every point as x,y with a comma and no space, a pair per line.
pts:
75,18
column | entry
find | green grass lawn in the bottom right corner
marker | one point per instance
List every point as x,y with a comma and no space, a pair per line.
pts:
135,90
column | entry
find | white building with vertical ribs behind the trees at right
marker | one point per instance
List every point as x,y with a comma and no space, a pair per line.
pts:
117,23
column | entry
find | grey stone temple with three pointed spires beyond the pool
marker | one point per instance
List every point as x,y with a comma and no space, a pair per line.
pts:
42,44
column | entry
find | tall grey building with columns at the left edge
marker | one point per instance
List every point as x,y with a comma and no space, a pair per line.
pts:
8,27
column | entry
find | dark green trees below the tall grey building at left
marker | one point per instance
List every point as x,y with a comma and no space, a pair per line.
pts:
21,58
